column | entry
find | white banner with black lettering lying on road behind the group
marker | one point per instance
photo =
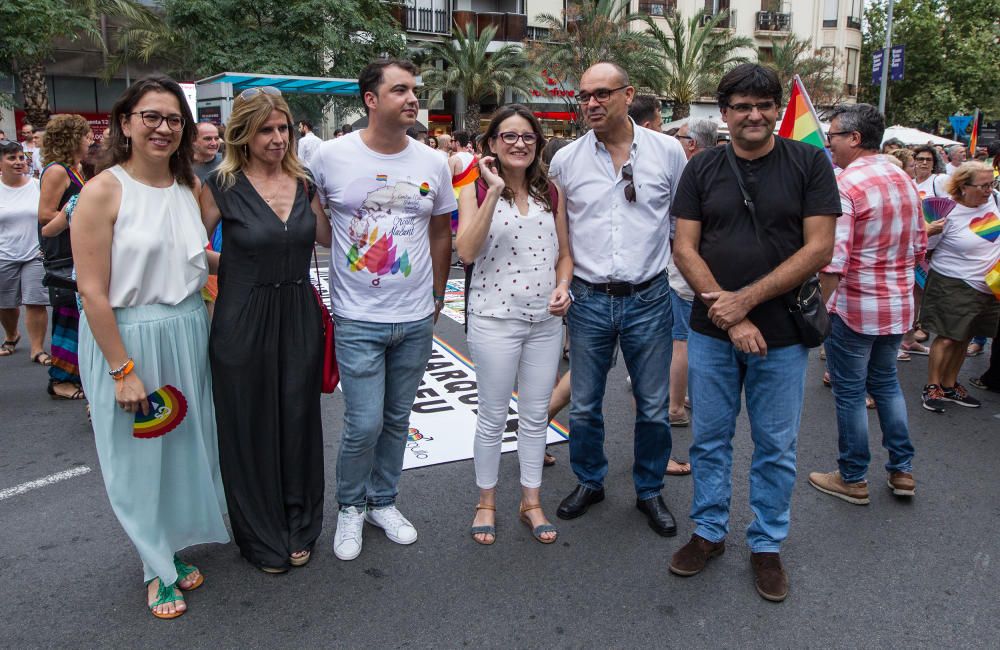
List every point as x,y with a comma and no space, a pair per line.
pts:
443,419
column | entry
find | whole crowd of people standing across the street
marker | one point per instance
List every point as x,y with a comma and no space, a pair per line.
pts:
711,270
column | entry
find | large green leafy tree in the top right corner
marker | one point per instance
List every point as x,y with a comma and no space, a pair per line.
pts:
952,59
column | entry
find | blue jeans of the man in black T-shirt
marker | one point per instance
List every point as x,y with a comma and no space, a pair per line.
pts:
717,373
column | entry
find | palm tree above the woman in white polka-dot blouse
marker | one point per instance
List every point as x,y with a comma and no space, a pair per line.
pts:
478,74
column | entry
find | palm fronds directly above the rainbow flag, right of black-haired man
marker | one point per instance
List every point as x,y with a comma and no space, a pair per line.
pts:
797,57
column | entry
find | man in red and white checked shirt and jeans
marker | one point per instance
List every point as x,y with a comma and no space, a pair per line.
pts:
869,290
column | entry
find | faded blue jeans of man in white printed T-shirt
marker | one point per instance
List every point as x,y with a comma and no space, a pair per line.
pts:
381,365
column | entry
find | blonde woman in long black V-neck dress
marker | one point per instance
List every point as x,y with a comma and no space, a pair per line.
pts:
267,335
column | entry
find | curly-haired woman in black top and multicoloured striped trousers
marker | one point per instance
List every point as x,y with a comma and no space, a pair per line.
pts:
67,139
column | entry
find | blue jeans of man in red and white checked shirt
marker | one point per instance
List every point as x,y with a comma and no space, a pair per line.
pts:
860,363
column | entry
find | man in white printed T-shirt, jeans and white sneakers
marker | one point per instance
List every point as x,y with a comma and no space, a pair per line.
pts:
390,201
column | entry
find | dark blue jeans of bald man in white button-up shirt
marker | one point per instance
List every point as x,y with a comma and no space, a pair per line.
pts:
641,325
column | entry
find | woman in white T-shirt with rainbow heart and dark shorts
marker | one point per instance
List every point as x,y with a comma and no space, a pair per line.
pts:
958,303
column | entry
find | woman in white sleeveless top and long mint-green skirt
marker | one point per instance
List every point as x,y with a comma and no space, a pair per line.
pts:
140,257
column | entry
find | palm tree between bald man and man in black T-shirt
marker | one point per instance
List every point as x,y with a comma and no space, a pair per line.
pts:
697,56
